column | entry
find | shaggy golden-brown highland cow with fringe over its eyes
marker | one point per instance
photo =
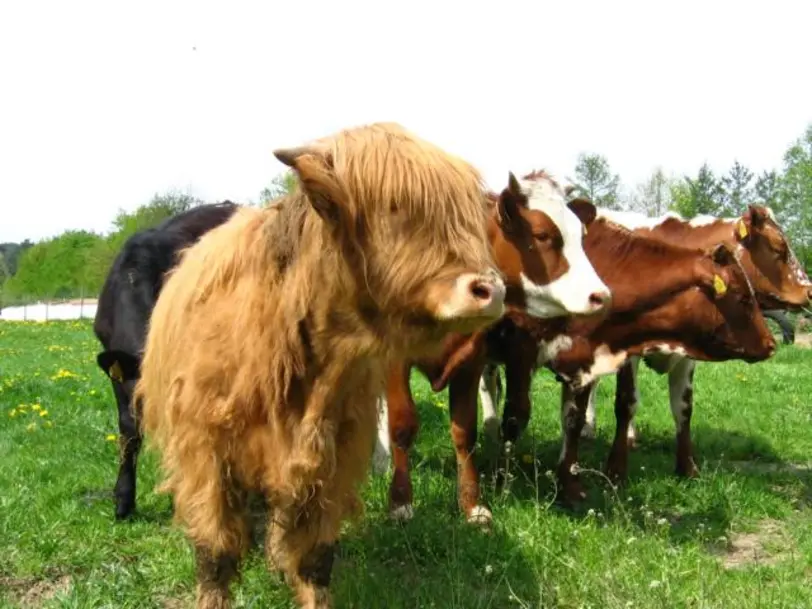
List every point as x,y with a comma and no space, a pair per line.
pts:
267,347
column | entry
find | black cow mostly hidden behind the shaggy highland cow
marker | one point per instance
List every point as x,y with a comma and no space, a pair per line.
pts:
126,302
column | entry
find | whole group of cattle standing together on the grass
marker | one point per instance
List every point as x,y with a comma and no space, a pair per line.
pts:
263,351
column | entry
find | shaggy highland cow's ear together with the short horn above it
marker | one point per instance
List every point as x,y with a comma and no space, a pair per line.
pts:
314,168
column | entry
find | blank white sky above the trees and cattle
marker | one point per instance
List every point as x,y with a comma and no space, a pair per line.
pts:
101,105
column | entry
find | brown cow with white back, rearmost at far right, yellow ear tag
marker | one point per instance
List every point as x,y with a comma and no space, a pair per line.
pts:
779,282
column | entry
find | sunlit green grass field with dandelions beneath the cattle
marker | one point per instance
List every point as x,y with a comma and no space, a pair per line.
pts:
740,536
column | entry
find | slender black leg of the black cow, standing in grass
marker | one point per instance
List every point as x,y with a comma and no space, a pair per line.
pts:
129,447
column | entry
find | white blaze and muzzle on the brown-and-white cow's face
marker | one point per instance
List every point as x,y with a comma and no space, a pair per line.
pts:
571,293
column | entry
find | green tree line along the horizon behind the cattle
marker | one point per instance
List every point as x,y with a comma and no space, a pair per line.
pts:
76,263
